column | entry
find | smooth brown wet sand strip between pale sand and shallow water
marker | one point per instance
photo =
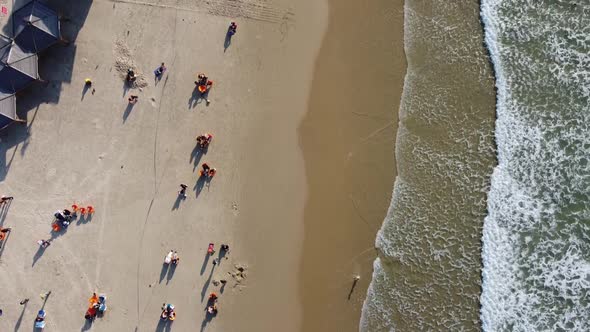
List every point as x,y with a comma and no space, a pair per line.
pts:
348,139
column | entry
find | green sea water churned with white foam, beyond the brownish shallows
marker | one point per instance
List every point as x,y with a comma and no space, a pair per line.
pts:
536,238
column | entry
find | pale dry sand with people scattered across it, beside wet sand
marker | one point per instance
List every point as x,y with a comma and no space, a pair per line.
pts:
92,148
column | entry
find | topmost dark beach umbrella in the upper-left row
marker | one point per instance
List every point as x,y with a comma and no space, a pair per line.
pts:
35,27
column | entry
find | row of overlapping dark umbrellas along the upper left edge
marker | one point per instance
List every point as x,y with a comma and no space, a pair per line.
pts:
35,27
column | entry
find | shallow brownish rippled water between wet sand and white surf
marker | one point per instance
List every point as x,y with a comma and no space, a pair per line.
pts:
427,276
